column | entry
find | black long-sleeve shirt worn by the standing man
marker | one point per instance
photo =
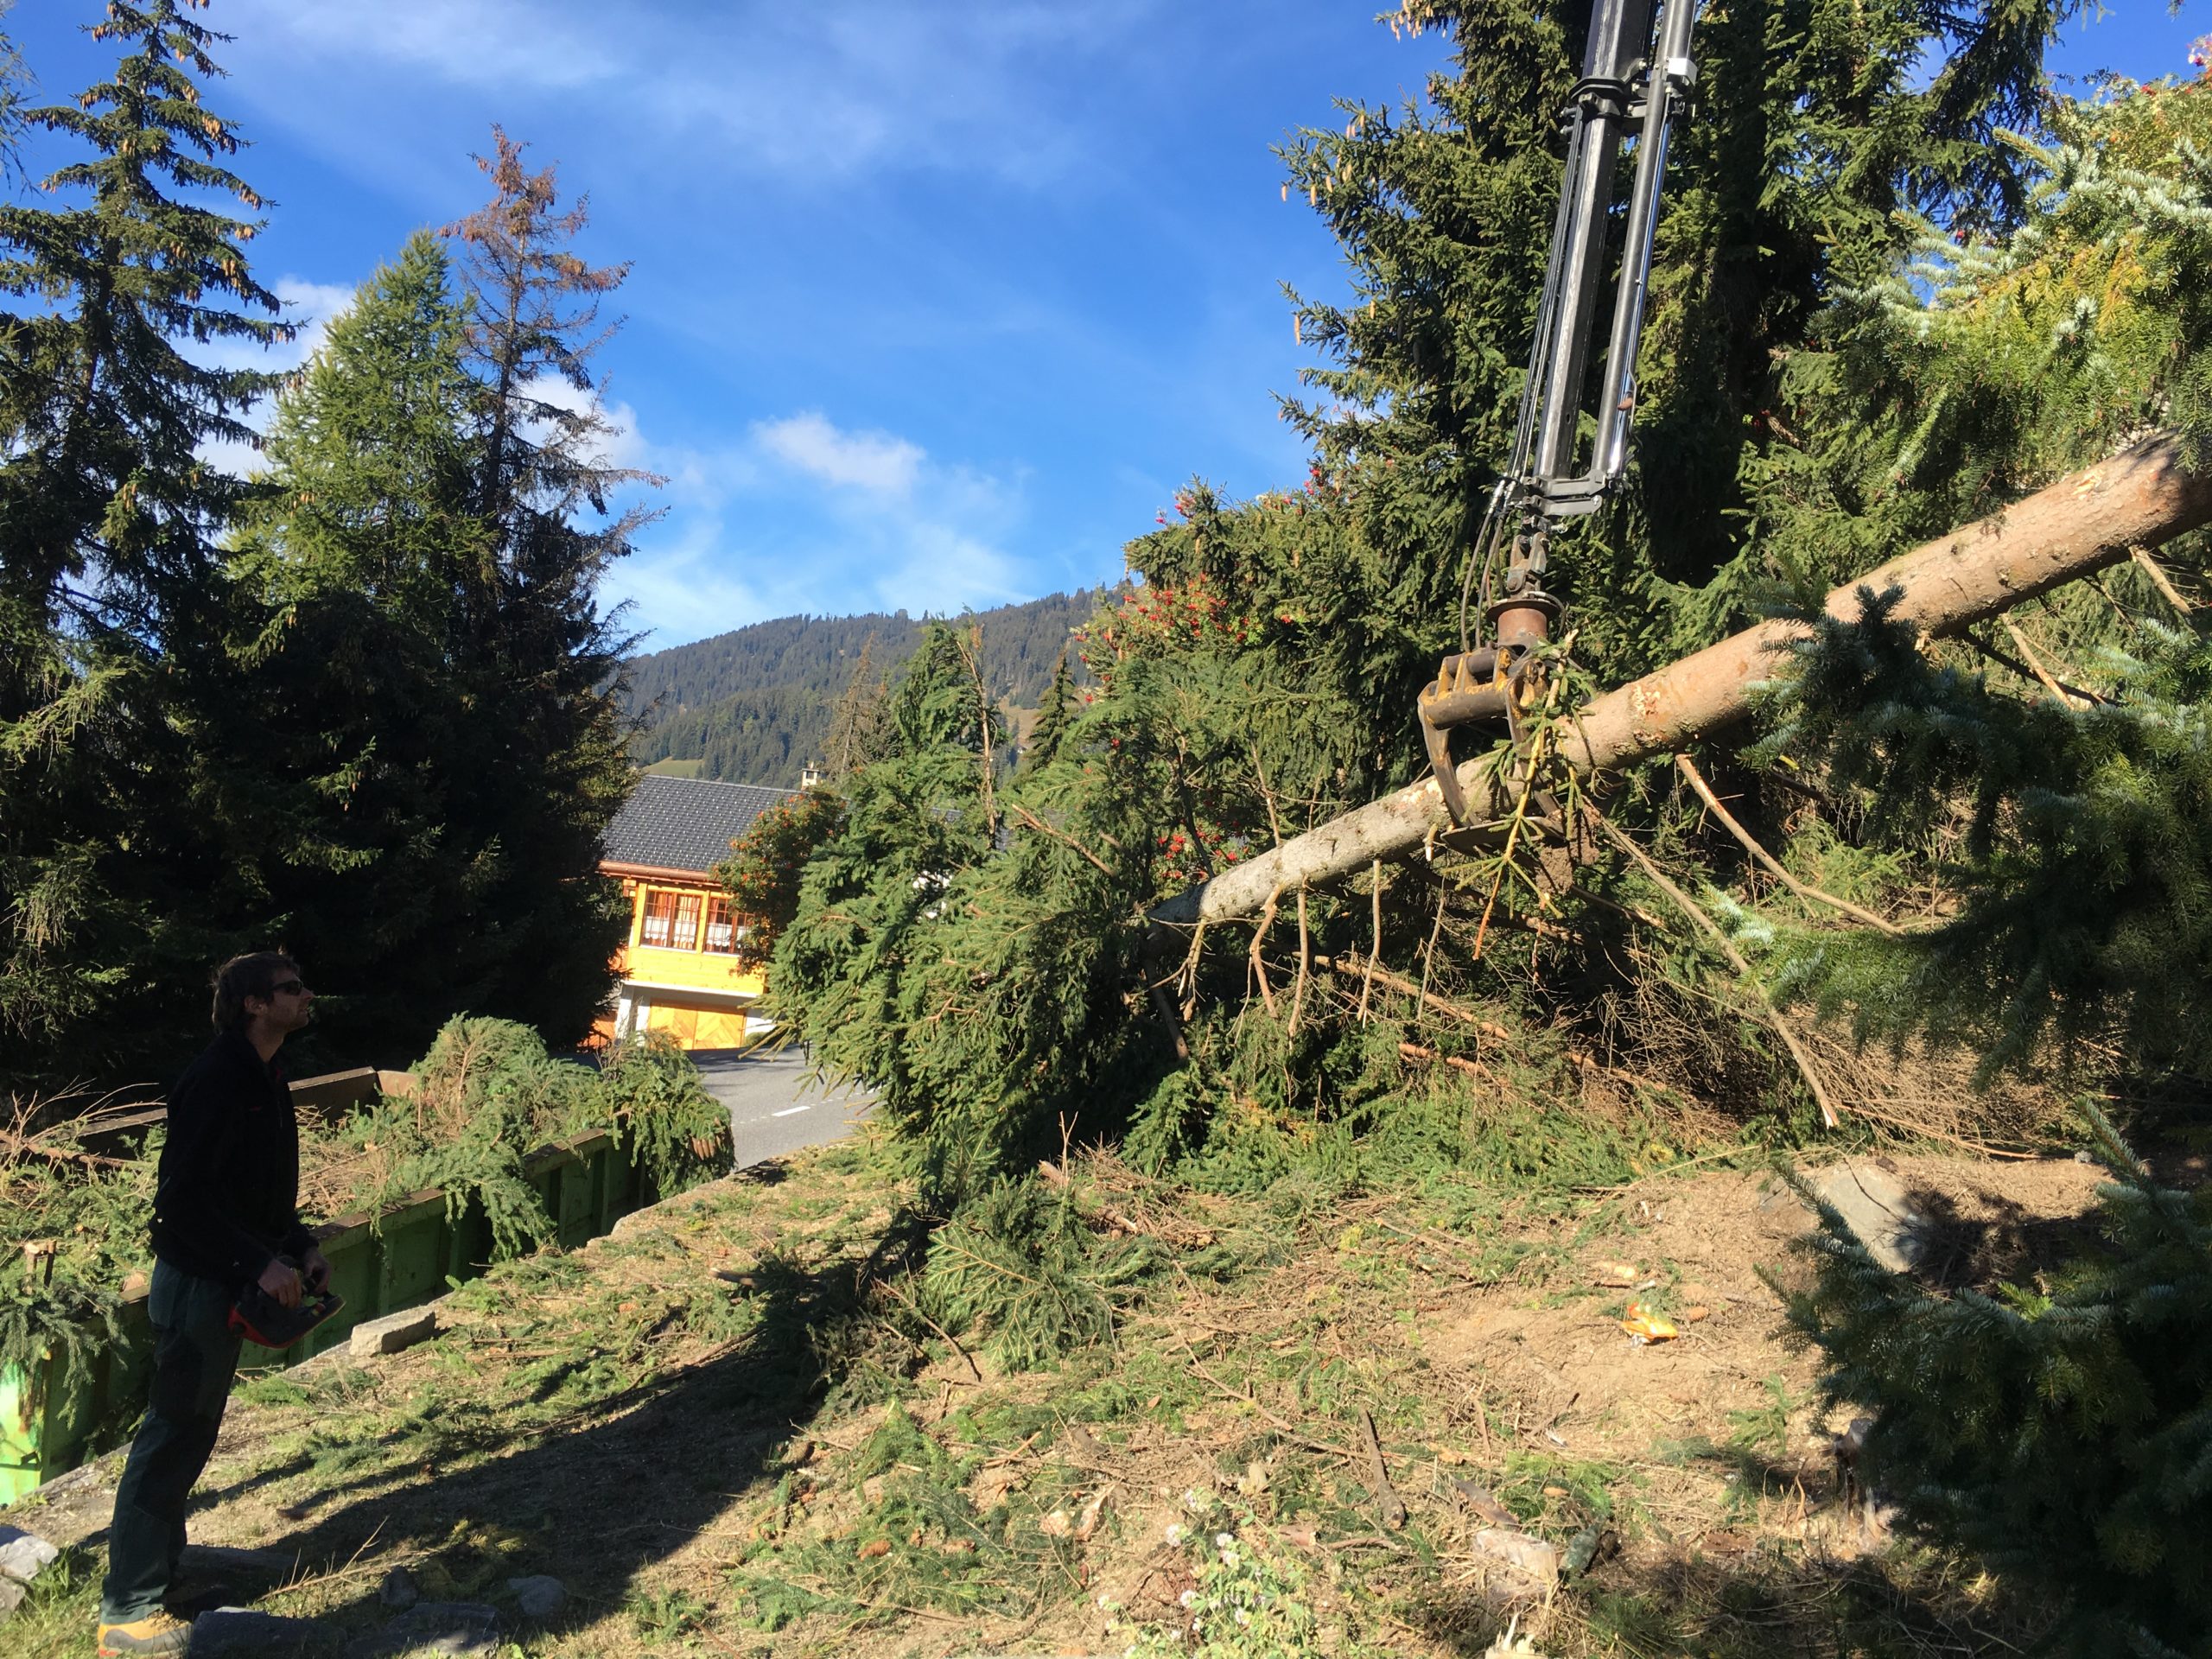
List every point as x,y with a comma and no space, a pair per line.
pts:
227,1196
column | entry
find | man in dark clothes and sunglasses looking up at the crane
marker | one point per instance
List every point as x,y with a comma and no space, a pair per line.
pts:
225,1218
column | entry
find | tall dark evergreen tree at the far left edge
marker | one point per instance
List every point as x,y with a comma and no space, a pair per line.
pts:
107,528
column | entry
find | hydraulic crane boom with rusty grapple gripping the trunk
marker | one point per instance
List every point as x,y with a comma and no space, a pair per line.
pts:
1631,87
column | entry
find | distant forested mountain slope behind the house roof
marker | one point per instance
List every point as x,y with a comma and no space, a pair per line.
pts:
758,705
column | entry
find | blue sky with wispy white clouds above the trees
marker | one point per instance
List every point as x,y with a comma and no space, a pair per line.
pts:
932,302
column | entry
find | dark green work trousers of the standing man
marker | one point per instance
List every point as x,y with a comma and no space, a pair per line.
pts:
194,1361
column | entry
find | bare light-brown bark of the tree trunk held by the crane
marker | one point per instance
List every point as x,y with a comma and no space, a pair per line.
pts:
2078,525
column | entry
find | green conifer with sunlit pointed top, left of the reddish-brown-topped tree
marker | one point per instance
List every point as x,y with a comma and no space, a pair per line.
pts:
344,698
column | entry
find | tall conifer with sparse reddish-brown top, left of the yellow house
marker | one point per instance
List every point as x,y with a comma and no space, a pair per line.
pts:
547,762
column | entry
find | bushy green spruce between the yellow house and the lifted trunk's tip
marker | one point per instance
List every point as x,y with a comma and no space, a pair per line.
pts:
954,977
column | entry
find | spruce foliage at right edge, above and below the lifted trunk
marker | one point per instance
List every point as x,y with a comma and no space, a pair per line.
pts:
2065,811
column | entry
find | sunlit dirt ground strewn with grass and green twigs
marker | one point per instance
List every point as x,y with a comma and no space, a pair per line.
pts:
724,1437
